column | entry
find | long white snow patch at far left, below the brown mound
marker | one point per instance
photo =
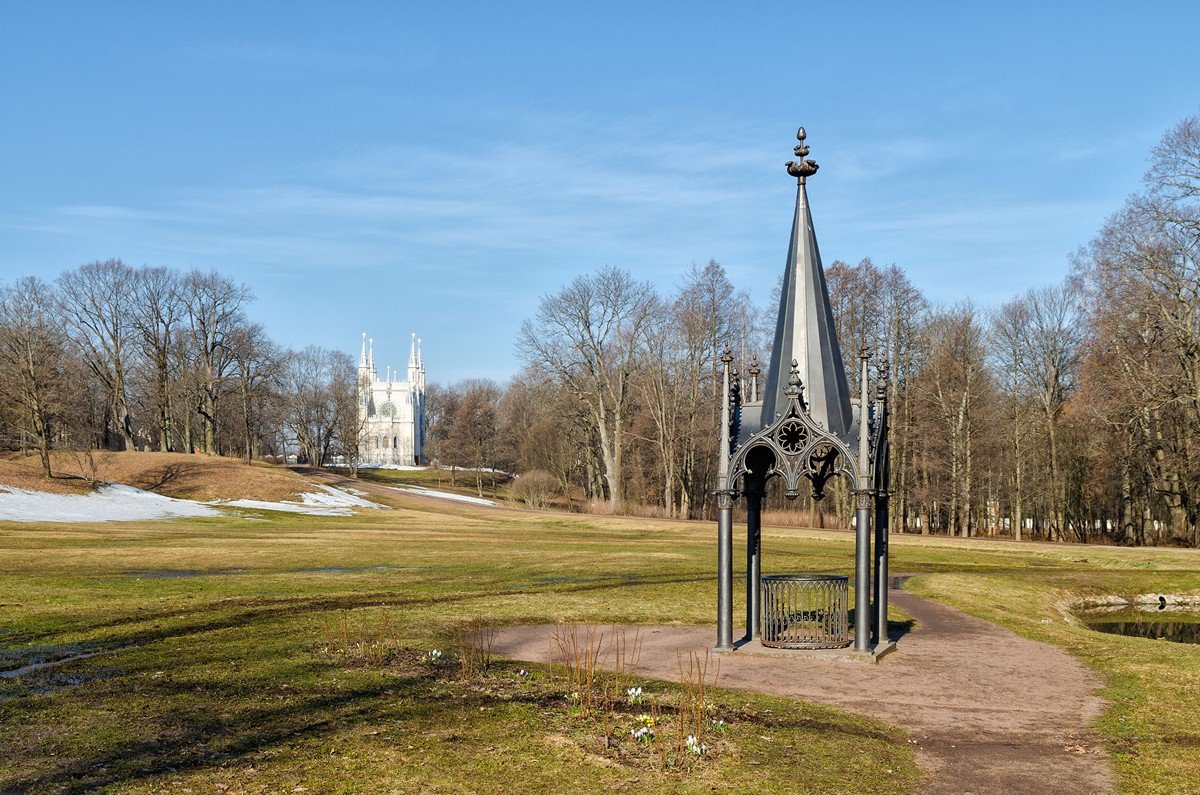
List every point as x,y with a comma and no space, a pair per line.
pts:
113,503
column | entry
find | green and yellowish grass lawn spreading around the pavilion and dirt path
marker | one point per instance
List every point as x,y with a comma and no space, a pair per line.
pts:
289,654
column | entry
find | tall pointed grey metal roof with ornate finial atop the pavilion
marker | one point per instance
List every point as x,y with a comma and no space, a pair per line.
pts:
805,331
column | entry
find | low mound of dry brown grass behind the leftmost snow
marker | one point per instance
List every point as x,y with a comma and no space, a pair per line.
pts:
175,475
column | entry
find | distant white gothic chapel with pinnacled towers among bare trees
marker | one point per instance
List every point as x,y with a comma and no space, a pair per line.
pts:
392,413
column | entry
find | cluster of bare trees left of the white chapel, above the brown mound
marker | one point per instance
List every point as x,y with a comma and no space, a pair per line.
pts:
113,357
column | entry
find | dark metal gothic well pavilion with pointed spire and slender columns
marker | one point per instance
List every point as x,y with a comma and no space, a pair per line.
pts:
803,428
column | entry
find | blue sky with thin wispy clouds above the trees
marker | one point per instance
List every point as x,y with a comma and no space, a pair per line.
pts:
391,168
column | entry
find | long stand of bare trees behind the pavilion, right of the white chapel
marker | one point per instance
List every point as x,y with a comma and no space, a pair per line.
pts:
1072,413
